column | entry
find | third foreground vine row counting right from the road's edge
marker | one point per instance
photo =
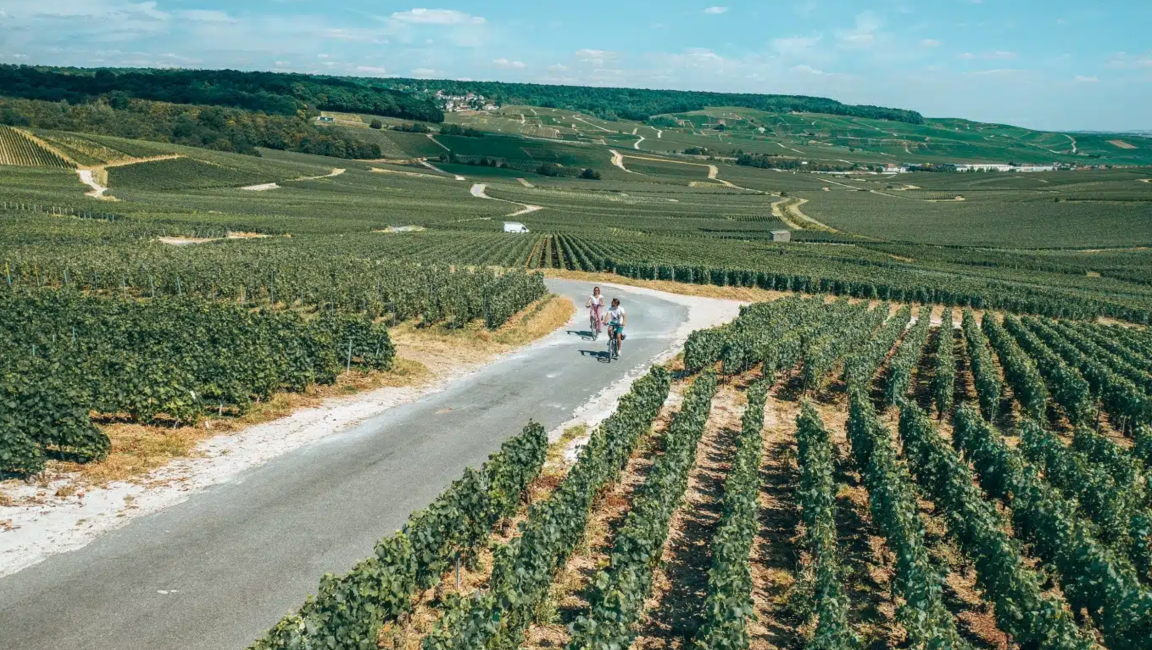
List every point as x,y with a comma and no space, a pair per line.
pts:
620,591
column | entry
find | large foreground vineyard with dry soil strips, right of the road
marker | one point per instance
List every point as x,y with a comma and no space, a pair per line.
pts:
842,516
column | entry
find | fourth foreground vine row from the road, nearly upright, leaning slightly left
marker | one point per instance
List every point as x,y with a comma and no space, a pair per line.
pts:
729,607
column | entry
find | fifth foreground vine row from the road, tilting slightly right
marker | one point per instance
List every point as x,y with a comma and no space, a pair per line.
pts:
817,500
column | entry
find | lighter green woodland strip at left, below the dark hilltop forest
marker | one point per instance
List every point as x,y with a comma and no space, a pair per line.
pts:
210,127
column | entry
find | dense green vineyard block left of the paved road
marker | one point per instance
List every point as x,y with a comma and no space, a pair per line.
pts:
79,354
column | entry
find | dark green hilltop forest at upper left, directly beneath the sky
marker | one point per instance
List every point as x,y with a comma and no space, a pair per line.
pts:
271,93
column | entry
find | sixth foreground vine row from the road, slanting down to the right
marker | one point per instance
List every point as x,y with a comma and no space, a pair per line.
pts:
896,512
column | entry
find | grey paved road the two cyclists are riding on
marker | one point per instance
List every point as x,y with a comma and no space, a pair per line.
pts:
234,560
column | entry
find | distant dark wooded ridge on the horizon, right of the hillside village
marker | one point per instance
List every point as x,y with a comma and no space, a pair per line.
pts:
642,104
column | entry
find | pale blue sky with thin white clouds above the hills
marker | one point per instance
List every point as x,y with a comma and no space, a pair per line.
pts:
1049,65
